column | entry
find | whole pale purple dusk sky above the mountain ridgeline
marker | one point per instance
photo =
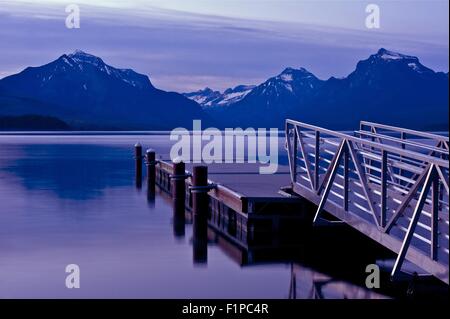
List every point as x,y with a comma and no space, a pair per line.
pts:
186,45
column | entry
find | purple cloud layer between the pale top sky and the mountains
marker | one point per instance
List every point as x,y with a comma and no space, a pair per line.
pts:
187,51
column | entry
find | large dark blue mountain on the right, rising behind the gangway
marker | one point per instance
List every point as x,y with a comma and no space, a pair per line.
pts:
386,87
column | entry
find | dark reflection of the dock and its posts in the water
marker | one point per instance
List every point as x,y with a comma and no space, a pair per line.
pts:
337,272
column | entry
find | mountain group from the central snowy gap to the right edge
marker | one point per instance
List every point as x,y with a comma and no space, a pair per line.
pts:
387,87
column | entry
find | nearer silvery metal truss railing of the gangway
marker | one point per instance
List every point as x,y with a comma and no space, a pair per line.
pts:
395,195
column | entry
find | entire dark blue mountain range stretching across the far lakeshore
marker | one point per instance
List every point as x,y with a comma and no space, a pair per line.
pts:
84,92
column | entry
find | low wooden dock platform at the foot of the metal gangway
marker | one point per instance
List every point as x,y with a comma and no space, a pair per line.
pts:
246,209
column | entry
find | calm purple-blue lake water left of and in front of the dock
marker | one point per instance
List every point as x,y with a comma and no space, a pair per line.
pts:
72,200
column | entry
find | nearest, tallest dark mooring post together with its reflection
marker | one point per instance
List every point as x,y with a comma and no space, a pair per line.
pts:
200,207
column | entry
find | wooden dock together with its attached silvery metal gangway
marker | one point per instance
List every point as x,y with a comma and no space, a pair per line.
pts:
388,183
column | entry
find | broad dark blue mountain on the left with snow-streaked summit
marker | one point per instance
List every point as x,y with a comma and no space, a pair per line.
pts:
82,88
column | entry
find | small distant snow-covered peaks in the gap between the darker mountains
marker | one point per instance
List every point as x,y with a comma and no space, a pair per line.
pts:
208,98
